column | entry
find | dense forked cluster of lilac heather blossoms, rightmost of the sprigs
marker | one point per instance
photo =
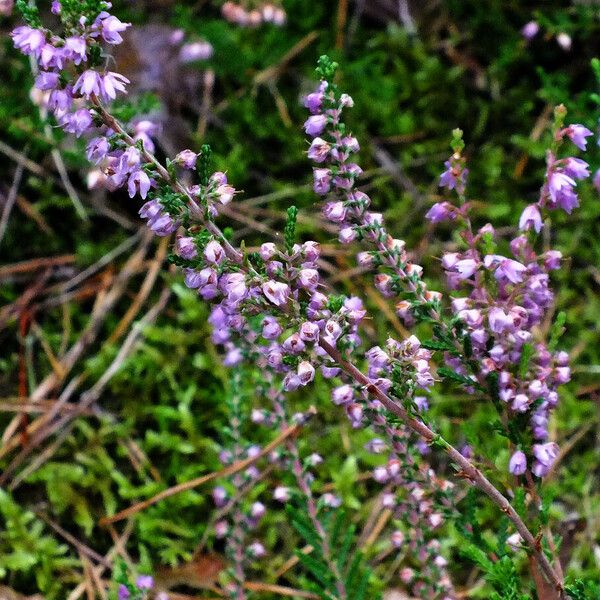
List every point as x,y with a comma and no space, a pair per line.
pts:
508,298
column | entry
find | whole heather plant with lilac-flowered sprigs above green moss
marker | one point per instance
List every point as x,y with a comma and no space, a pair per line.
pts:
272,308
